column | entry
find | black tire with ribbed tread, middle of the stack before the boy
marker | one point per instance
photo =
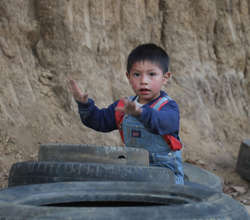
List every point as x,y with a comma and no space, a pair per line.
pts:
33,172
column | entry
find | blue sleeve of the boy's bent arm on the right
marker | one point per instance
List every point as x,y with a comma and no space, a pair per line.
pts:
165,121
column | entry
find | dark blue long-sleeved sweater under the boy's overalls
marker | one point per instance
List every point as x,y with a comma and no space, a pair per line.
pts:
165,121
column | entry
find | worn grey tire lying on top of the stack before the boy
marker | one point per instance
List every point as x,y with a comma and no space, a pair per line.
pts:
93,154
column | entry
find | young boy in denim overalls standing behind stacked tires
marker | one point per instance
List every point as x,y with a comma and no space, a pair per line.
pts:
150,119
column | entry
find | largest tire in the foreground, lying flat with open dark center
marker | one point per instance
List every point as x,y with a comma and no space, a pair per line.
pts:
119,200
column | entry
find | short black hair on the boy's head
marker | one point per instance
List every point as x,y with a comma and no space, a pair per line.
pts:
148,52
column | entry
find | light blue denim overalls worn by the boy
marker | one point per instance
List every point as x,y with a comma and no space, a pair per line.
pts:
160,154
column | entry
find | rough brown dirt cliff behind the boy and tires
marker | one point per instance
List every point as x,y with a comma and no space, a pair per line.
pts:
42,42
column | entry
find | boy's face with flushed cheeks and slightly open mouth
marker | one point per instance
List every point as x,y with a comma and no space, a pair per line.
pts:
146,79
